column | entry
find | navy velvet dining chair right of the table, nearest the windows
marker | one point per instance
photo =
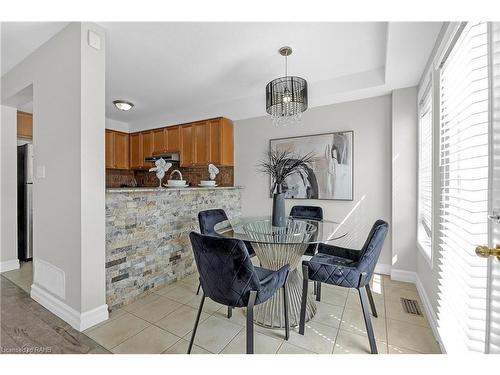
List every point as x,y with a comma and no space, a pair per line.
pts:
347,268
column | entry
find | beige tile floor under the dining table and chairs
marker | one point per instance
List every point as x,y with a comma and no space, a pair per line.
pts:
162,322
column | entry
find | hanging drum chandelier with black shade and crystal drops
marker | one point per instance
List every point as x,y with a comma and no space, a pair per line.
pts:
286,97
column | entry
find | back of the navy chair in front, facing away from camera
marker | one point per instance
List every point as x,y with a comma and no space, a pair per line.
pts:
227,274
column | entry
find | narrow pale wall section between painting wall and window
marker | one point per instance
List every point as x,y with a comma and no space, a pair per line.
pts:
404,179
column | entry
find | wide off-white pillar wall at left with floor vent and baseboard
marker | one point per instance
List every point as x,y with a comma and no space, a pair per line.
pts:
68,219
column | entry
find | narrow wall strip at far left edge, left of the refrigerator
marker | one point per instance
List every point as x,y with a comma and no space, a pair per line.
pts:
8,189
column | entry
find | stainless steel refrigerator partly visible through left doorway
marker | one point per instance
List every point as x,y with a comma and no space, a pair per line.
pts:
25,201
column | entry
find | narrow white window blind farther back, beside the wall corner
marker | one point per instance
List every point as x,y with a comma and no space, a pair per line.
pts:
424,230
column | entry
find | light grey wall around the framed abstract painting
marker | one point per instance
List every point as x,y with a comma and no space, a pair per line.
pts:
370,119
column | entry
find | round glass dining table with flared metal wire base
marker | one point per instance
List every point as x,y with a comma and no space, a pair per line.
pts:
276,247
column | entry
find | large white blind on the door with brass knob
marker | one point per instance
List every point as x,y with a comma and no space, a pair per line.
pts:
463,191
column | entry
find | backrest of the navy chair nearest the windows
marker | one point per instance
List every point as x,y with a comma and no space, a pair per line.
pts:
372,248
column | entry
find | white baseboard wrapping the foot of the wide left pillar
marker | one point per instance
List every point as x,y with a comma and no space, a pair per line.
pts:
79,321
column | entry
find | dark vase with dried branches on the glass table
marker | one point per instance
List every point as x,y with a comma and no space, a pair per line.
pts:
279,164
